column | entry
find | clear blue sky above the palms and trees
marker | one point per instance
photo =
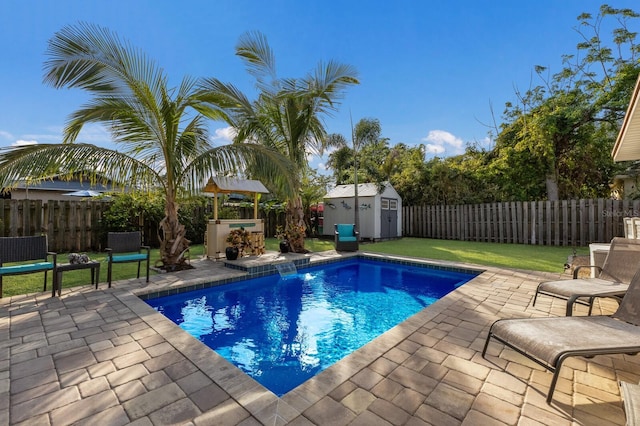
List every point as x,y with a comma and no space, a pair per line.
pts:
430,71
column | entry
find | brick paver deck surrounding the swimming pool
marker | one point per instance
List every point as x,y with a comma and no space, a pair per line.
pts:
105,357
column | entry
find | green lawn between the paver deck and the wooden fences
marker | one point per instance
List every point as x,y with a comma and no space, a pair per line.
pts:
537,258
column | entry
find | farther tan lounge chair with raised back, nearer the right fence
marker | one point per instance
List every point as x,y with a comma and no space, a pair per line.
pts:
613,279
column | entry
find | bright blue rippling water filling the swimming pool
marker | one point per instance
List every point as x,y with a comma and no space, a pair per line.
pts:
284,330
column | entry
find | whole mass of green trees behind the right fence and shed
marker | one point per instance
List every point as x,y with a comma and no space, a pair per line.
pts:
554,141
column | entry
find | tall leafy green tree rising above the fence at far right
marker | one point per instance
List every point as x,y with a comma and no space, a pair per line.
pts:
562,131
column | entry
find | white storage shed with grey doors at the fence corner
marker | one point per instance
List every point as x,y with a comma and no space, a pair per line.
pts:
380,211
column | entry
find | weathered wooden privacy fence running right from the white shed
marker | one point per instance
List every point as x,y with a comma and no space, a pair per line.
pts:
556,223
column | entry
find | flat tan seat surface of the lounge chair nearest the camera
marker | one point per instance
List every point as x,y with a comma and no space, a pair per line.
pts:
548,338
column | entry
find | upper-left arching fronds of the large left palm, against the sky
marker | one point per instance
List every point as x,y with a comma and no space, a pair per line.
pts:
94,59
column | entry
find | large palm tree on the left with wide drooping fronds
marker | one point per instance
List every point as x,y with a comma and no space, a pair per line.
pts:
160,133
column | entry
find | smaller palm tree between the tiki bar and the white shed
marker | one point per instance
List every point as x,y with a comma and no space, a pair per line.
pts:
286,116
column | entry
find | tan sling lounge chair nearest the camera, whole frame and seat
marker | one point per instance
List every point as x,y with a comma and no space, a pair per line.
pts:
550,341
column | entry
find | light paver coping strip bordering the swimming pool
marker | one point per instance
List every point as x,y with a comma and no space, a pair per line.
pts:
259,401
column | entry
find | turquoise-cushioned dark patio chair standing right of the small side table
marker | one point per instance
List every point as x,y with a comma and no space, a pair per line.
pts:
125,247
